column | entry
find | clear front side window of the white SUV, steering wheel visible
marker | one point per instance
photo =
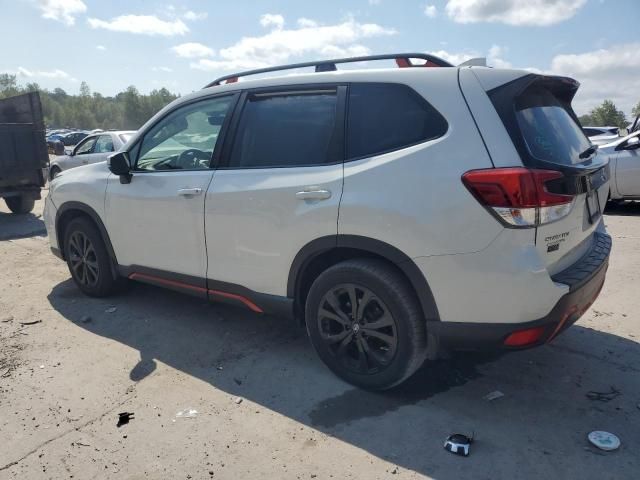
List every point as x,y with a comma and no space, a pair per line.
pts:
186,138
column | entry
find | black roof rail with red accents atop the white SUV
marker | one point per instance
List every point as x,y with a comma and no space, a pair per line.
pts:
403,60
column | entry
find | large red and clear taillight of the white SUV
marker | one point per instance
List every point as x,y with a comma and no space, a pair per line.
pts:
519,196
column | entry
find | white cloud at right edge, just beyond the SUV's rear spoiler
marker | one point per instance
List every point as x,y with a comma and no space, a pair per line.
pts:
608,73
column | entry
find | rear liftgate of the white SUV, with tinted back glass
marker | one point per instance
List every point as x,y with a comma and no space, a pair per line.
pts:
536,110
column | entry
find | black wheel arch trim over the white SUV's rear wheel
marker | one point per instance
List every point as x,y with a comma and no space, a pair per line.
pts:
324,252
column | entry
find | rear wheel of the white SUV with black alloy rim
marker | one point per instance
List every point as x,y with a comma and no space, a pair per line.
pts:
390,334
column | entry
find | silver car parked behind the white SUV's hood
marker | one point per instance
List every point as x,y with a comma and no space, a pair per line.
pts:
93,149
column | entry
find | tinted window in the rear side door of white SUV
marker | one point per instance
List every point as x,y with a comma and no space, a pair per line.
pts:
286,130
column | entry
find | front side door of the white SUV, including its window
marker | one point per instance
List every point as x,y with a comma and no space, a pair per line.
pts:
157,220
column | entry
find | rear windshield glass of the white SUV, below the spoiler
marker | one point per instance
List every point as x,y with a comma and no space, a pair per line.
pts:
549,130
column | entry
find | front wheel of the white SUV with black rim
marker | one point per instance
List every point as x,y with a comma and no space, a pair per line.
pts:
88,259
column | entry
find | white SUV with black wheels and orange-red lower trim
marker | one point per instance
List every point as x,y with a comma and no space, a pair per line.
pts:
395,212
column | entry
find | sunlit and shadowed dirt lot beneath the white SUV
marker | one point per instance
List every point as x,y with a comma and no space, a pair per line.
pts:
266,406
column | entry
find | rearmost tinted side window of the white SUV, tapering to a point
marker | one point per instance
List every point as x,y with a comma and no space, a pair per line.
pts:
384,117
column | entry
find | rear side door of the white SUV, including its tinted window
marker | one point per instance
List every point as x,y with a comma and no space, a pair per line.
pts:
278,186
